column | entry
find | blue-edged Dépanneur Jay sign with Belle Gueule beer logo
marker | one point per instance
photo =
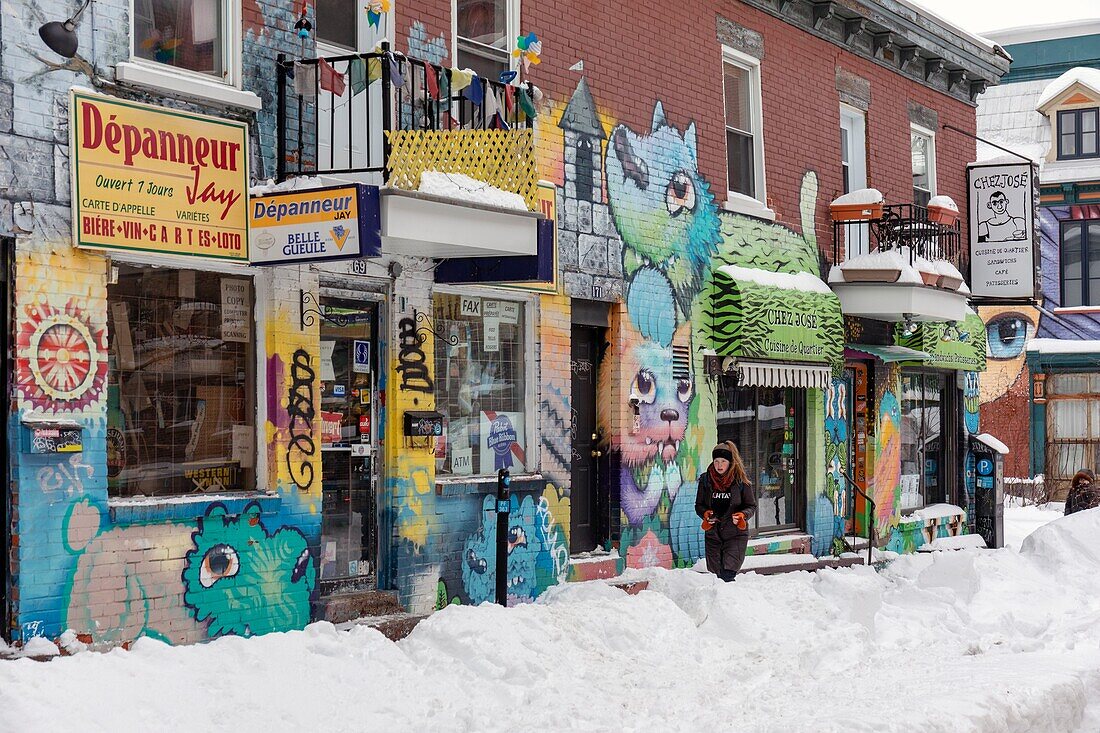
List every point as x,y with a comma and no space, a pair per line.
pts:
338,223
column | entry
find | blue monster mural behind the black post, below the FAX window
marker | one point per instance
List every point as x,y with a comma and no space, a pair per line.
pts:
535,553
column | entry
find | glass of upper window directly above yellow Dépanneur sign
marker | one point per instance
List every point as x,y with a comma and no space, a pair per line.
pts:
193,36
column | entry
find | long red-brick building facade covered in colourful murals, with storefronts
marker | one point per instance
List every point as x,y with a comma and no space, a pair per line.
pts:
633,144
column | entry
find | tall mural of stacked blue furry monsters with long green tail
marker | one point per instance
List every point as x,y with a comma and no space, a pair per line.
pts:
674,235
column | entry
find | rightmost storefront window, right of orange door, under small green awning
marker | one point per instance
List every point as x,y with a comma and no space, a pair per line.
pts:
922,418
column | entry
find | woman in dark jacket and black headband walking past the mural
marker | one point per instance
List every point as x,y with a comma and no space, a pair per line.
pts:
725,502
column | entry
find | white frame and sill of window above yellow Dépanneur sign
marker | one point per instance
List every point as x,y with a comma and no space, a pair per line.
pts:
185,83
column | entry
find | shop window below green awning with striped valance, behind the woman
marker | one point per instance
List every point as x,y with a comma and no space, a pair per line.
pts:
764,424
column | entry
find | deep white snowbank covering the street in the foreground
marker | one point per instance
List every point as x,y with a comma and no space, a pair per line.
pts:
983,641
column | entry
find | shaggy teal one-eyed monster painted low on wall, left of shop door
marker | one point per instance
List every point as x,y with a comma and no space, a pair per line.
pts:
246,582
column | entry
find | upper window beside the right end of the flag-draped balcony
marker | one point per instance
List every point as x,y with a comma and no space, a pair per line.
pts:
486,31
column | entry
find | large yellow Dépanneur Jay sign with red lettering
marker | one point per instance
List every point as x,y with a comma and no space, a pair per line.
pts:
159,181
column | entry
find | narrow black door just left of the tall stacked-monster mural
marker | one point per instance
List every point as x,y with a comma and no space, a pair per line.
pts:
585,534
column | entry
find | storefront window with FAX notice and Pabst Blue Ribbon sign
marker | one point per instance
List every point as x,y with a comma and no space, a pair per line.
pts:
481,386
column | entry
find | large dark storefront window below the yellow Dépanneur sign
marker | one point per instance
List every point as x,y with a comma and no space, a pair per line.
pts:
182,385
